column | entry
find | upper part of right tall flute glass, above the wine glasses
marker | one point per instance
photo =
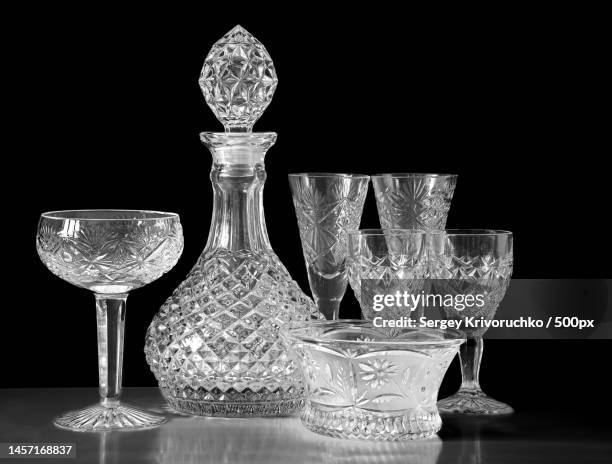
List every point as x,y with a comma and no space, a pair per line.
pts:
413,201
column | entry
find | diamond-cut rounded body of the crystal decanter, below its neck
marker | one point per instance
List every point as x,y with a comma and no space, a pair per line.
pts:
208,344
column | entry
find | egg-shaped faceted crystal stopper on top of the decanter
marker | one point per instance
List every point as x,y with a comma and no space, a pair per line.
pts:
238,80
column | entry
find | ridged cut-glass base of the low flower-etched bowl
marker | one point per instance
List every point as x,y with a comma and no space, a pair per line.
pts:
357,423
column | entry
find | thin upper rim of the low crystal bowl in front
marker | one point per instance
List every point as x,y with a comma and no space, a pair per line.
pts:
457,337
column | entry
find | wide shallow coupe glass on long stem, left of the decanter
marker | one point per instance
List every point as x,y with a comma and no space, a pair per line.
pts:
109,252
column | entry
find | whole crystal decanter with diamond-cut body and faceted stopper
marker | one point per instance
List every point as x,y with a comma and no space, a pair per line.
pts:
214,346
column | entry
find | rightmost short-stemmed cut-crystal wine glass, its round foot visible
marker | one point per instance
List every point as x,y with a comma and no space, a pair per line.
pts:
479,263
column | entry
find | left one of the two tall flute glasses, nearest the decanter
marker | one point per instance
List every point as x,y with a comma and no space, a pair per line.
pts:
327,206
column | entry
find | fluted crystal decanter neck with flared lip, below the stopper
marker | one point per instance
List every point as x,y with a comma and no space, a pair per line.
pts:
238,175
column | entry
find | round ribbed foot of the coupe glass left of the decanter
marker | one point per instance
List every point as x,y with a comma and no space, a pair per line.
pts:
105,418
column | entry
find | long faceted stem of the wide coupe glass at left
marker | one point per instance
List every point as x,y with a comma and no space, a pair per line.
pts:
110,312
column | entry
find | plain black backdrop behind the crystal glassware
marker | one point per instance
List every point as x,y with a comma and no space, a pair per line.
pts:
105,112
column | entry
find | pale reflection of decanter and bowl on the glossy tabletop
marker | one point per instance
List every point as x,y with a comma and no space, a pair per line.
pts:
186,440
